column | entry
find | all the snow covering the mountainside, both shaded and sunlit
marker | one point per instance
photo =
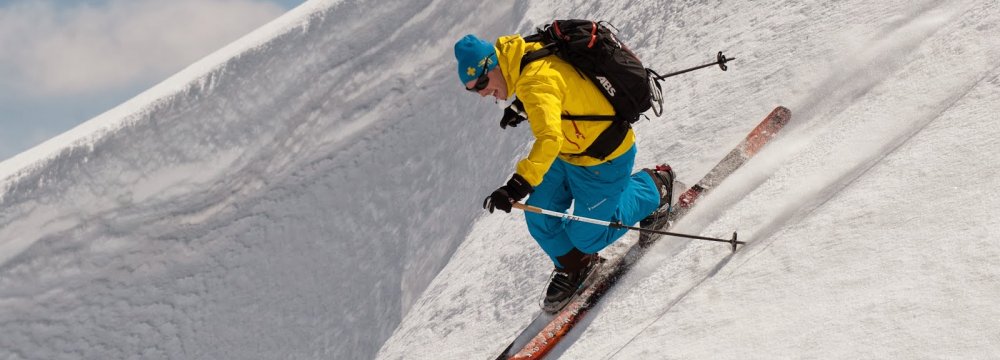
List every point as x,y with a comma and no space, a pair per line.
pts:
313,191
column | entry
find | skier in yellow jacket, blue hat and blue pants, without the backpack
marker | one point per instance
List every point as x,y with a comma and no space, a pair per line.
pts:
555,172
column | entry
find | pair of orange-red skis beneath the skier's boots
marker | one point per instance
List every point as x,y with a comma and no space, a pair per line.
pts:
545,332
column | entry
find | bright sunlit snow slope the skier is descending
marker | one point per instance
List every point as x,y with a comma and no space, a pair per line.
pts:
872,222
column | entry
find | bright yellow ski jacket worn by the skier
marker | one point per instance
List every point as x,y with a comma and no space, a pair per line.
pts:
549,88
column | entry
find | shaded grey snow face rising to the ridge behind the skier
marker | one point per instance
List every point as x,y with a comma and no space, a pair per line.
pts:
287,197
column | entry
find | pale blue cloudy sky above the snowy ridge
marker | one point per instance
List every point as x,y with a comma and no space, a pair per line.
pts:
64,62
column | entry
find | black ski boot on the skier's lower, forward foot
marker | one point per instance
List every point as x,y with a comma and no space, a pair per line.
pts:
564,283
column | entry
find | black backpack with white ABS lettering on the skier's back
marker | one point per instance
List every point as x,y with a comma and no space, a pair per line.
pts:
594,50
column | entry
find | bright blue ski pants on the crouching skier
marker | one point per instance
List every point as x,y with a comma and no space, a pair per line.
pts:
608,191
